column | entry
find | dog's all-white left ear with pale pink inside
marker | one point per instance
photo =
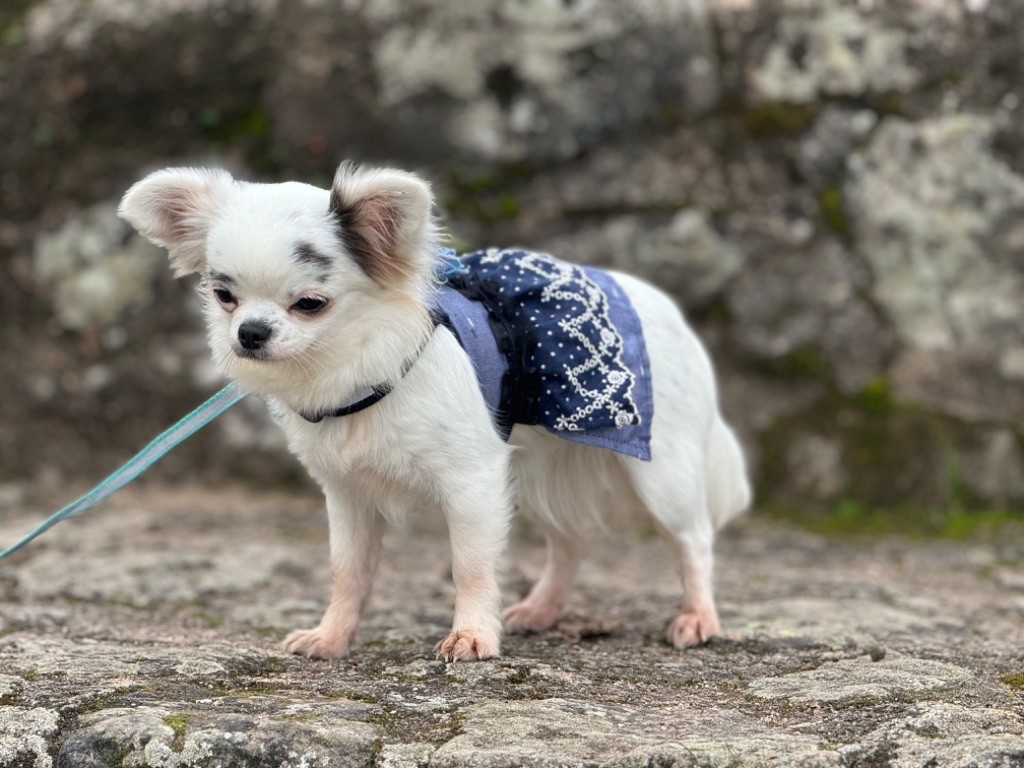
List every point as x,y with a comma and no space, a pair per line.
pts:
175,208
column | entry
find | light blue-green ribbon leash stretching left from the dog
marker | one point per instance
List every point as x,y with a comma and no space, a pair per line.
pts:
141,462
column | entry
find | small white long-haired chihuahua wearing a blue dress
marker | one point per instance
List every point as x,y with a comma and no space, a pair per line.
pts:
323,304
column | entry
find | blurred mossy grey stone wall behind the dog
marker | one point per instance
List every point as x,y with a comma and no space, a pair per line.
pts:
834,191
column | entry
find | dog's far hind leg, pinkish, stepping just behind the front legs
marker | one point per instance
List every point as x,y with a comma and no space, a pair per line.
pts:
540,610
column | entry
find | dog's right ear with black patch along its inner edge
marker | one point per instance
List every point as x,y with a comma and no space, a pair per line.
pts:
387,222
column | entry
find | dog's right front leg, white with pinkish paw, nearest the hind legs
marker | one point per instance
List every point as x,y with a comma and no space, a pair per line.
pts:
478,516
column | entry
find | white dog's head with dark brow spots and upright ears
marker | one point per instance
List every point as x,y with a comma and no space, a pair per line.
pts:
290,271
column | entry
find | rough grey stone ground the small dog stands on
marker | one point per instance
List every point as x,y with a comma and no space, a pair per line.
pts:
147,634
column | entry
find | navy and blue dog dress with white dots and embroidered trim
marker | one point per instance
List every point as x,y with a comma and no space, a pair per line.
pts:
554,345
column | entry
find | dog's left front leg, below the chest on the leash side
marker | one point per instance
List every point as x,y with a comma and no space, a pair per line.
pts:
356,540
